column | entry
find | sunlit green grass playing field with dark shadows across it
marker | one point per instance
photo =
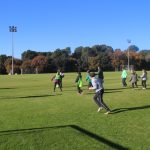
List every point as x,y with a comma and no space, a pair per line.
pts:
33,117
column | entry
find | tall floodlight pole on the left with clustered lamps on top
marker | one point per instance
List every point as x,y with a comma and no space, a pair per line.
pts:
12,29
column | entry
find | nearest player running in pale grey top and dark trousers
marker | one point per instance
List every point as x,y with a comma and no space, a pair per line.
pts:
99,91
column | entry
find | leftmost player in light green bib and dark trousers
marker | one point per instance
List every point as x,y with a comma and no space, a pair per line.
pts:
57,80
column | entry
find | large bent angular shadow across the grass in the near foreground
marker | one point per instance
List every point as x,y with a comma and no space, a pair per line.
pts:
75,127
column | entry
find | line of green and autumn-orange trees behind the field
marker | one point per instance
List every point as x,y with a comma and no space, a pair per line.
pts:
83,58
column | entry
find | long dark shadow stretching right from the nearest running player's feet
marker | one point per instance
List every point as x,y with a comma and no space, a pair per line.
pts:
119,110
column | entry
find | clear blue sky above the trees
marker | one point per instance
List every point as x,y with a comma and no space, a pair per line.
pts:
45,25
